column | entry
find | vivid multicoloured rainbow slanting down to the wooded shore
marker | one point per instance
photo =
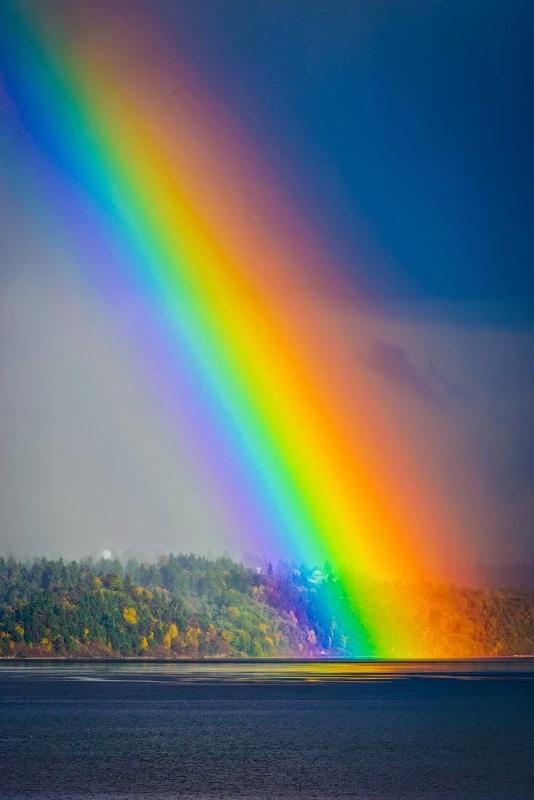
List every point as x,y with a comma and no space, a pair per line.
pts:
168,200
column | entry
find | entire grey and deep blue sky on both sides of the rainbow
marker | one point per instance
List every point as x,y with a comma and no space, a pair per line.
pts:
401,132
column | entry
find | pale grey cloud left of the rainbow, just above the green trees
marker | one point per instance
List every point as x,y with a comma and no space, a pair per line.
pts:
88,461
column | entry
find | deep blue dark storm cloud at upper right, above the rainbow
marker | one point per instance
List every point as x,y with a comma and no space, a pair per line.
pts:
403,129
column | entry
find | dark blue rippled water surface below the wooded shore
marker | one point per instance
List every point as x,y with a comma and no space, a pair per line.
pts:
371,731
